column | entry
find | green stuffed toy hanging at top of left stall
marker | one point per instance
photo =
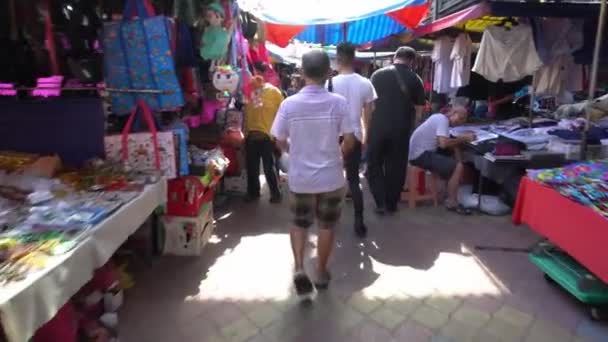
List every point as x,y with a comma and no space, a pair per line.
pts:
214,43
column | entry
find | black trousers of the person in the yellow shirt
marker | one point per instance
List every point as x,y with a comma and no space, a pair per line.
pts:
260,147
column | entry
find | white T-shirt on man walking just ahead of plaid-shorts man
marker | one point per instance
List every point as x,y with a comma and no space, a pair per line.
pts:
358,91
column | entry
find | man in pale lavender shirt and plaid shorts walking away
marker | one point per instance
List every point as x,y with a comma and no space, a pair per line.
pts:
313,120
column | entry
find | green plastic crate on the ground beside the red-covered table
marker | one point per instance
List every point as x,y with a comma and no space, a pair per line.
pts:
569,274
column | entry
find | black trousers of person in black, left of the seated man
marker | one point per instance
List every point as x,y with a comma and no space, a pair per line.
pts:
386,167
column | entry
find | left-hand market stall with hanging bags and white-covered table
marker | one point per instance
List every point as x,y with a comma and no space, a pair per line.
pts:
97,142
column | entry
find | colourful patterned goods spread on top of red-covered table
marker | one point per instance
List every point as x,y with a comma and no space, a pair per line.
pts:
584,182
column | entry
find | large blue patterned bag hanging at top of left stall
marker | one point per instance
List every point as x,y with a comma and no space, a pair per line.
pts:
138,60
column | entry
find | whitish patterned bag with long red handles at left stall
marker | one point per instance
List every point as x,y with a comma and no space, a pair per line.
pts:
143,151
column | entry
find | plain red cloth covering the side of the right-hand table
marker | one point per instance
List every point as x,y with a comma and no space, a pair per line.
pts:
575,228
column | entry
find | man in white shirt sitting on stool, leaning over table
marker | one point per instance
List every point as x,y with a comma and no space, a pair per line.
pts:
433,134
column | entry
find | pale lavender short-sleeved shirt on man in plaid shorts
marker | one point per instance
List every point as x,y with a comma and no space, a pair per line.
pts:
313,120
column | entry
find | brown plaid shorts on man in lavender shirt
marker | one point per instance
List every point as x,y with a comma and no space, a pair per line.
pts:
326,207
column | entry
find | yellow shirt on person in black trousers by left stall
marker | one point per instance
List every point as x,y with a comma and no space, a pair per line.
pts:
260,119
